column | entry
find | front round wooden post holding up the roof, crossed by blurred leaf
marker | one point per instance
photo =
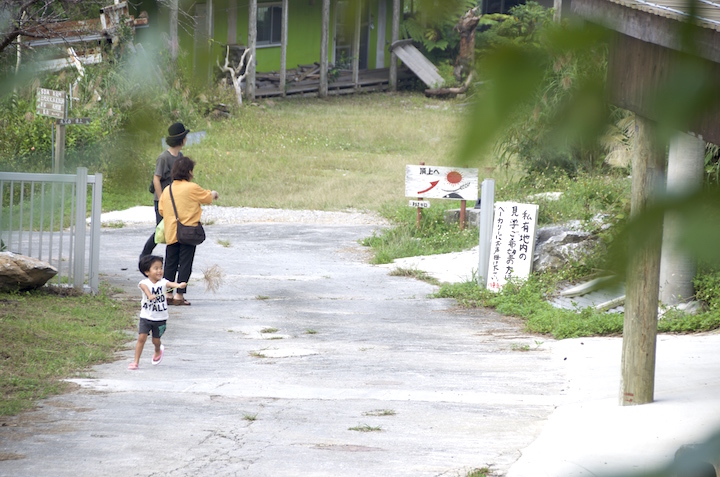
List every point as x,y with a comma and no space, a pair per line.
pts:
643,272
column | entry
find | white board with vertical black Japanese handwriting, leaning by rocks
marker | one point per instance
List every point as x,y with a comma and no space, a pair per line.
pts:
513,243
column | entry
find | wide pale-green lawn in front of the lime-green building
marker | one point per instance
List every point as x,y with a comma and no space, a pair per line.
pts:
334,154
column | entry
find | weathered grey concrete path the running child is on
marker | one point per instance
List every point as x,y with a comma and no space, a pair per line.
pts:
307,362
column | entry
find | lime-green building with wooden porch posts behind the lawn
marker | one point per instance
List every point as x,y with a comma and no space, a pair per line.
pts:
300,46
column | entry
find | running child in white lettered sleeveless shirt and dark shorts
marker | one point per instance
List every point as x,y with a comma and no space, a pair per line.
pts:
153,313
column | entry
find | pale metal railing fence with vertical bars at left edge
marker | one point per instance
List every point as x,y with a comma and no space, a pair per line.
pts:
44,216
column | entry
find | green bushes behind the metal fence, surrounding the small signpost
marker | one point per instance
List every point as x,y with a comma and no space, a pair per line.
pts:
130,100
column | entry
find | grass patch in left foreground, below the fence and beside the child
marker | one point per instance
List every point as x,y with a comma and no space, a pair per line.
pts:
45,337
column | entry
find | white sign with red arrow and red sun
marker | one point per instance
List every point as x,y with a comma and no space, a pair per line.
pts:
434,182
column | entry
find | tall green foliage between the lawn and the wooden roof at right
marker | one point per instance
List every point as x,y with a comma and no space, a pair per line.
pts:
558,108
